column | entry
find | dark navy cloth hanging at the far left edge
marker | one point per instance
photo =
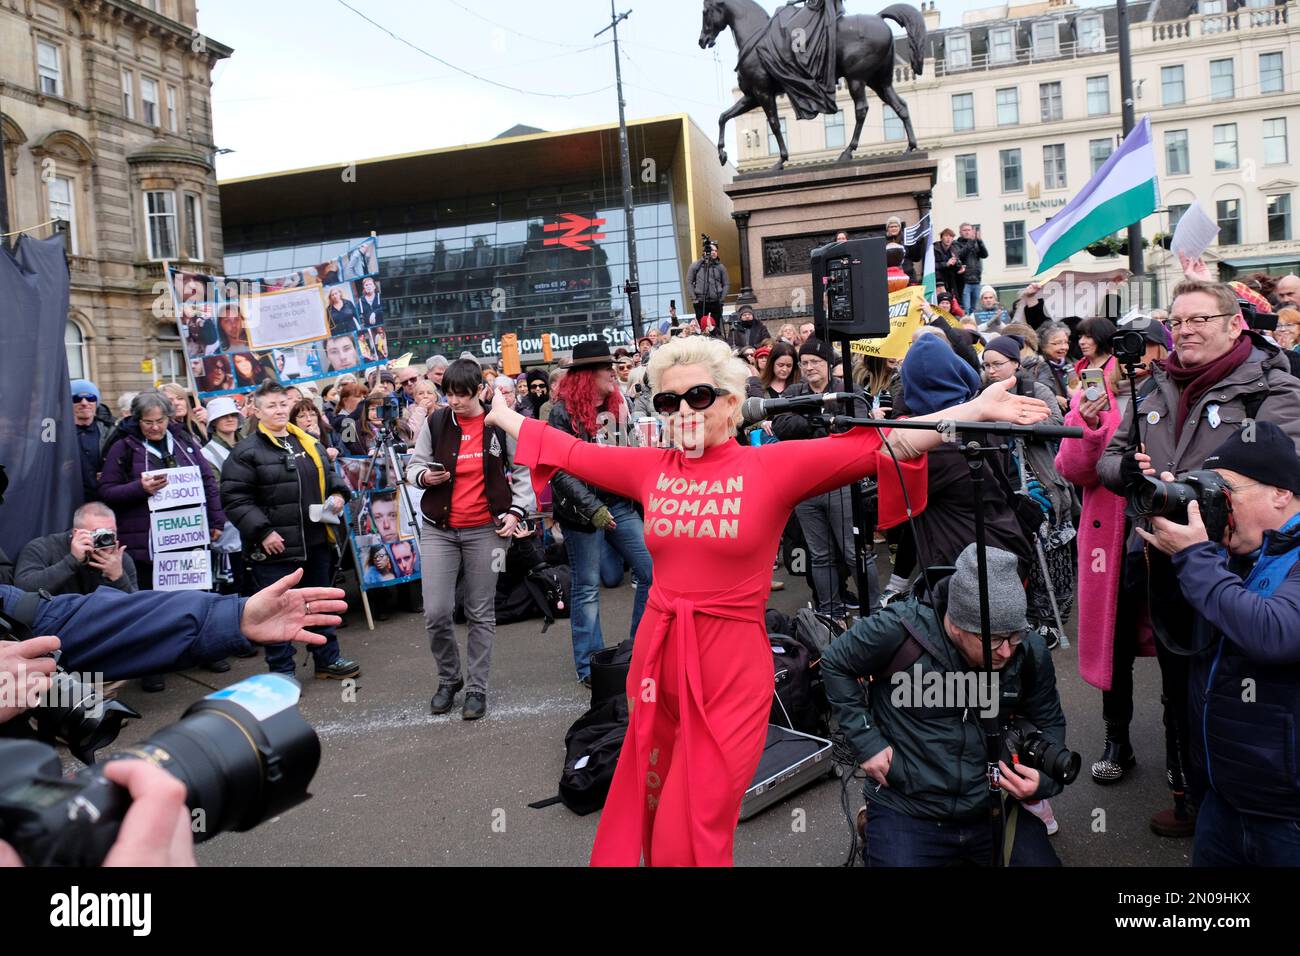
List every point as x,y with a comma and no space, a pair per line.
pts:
38,440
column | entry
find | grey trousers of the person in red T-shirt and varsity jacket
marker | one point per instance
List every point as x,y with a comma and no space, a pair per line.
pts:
483,552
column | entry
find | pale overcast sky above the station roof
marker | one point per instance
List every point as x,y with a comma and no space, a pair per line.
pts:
311,83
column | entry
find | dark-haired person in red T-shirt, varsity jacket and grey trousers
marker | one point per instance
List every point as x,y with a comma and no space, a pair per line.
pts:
475,503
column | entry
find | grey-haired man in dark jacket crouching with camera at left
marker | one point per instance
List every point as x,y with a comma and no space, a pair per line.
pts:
68,563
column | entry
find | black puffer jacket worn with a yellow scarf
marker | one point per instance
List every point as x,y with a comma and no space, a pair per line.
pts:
262,496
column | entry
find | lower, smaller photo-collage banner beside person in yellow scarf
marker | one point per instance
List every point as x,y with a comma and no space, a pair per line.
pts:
382,531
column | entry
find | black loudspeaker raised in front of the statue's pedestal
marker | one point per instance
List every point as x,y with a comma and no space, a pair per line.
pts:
851,291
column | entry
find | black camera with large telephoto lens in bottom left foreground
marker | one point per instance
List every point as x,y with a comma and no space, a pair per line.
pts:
244,754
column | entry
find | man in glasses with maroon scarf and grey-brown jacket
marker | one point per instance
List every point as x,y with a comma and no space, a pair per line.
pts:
1221,375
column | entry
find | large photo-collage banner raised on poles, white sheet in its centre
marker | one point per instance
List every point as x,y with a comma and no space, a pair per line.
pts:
314,323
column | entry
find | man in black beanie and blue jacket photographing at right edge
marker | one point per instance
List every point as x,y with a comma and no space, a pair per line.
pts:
1246,682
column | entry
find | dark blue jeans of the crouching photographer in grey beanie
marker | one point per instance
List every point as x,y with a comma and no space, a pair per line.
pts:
896,840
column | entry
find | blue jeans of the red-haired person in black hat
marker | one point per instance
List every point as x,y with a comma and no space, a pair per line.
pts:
586,551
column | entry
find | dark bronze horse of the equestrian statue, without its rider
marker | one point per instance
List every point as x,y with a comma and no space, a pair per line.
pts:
864,58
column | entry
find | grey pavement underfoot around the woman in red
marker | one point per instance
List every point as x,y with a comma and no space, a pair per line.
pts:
400,788
